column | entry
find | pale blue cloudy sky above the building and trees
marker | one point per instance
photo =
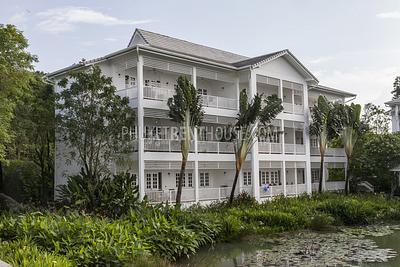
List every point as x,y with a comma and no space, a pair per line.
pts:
352,45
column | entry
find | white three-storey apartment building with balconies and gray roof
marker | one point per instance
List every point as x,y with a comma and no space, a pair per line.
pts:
146,72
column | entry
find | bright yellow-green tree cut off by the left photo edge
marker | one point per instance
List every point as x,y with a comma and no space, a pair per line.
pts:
15,74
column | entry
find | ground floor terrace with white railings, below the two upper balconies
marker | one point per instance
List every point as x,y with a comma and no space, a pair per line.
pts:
214,180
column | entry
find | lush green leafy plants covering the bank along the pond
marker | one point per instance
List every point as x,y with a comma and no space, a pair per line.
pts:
159,231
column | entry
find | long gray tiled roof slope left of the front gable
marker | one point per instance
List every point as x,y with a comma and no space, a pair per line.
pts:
181,46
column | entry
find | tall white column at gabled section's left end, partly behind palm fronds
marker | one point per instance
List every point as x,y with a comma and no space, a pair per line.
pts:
254,149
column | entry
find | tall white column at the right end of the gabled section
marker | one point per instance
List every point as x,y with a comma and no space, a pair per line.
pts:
306,138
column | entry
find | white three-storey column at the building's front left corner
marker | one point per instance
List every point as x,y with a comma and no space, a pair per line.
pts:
140,123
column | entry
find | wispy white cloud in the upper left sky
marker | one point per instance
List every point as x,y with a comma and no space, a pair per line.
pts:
66,19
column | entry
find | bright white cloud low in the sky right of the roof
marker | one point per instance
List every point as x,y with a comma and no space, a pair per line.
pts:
370,85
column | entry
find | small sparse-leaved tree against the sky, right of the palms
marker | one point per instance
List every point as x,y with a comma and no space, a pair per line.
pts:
376,119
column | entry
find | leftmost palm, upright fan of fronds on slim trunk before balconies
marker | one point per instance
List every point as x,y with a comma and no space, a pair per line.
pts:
185,108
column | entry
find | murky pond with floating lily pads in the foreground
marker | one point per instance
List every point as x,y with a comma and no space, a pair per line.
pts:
369,246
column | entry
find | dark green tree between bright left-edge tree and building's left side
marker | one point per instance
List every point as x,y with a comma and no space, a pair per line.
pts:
33,127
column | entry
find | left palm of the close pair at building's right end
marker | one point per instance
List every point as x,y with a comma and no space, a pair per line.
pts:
322,126
